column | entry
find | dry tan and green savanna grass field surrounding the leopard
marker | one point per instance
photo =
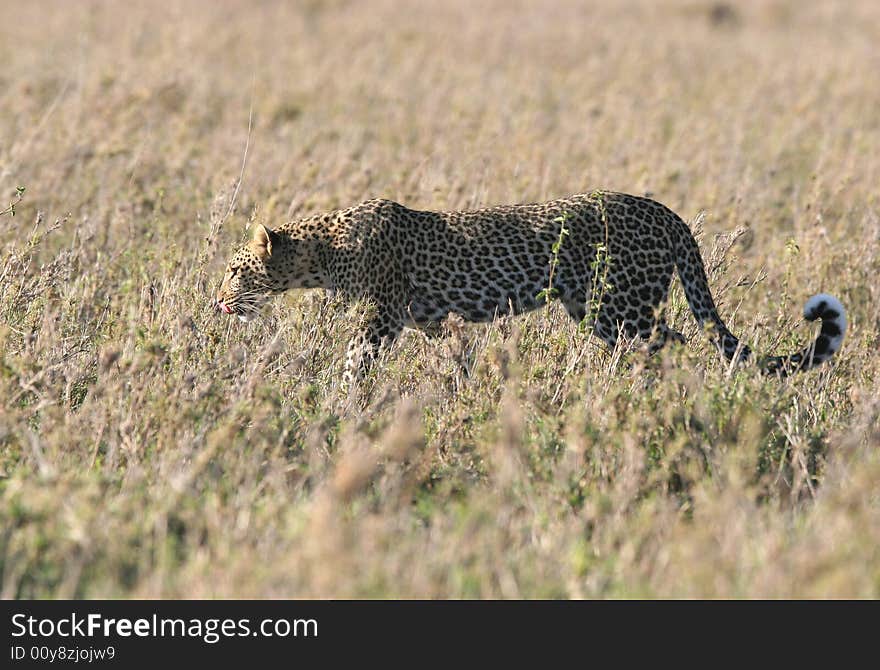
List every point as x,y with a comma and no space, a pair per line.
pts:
153,448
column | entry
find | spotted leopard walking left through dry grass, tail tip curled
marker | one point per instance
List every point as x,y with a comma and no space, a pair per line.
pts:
608,257
